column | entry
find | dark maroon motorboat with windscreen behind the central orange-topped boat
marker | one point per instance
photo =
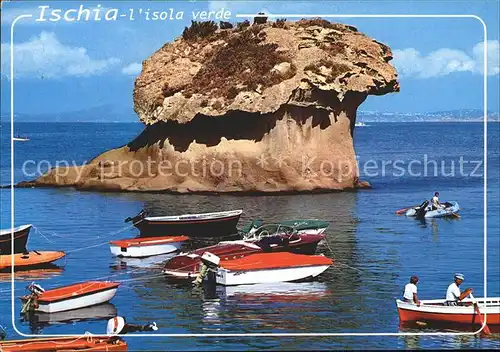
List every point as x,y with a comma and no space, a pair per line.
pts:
268,238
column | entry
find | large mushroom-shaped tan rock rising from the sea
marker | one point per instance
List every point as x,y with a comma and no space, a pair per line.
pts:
264,107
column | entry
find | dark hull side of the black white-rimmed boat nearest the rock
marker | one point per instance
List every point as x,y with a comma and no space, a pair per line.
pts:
220,227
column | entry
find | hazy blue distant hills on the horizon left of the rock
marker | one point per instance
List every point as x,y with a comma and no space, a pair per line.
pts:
102,113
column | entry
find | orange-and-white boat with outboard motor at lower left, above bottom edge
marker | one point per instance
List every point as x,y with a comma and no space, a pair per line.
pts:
80,295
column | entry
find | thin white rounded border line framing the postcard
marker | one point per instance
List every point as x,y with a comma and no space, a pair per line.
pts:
485,145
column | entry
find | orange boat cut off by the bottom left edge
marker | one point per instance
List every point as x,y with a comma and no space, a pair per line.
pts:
66,344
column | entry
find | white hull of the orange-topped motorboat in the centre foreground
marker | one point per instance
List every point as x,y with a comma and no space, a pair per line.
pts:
232,278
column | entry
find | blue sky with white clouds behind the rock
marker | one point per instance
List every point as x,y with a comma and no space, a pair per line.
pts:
63,66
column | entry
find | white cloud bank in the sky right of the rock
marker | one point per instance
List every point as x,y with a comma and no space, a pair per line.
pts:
411,63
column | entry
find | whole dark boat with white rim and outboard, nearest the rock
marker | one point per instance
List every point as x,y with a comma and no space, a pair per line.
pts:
218,224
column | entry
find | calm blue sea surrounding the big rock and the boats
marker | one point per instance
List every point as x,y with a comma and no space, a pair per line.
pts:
375,251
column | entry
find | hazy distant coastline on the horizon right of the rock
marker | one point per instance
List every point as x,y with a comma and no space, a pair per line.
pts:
461,115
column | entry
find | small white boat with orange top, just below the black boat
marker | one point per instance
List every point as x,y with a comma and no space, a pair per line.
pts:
146,246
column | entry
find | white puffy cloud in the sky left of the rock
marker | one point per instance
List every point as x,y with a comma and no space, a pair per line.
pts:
45,56
